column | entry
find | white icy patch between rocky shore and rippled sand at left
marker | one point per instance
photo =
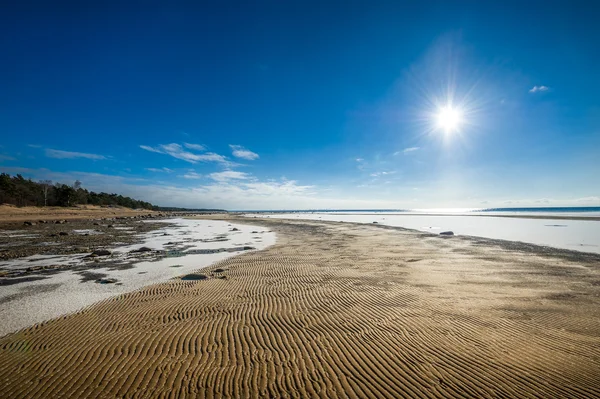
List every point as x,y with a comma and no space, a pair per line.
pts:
31,302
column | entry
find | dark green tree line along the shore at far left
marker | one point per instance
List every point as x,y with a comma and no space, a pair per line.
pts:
17,190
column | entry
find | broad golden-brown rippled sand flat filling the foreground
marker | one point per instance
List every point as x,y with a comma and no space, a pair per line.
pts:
332,310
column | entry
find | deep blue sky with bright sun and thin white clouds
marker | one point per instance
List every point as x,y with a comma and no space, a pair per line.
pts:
306,105
